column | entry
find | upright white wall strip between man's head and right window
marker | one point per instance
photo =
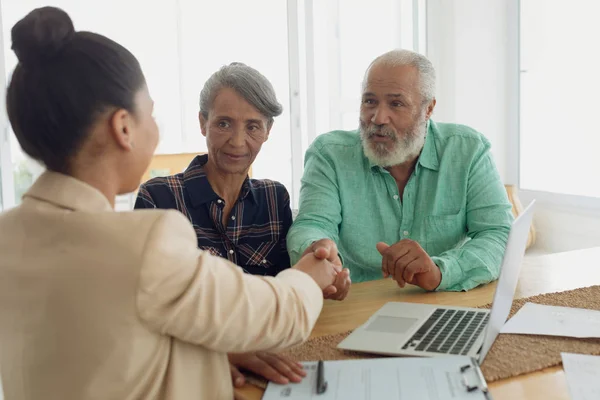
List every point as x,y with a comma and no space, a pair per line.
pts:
467,43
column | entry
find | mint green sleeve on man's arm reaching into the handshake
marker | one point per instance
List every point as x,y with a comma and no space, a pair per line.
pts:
320,213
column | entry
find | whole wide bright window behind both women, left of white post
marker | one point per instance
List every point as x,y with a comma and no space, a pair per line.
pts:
177,54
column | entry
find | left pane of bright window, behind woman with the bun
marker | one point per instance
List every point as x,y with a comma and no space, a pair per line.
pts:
153,47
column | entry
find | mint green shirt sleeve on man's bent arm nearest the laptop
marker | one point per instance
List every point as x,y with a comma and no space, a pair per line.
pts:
489,219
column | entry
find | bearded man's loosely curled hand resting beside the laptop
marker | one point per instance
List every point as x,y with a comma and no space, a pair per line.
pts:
407,262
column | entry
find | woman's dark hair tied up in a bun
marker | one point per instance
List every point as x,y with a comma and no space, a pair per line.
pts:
64,80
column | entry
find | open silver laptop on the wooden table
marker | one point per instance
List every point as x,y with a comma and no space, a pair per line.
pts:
412,329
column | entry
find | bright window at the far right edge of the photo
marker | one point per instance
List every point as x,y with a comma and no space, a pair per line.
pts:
559,81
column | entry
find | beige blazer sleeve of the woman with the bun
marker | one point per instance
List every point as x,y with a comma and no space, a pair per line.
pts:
206,300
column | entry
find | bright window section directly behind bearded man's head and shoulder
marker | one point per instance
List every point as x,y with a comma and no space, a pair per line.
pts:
341,38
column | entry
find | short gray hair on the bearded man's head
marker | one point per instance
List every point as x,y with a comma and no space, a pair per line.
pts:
400,57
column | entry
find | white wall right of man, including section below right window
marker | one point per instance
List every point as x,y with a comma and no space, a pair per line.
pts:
473,46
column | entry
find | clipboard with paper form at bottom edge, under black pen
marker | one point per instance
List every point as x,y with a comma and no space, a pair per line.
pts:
434,378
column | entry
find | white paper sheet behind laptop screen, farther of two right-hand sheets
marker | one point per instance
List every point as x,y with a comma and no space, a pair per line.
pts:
537,319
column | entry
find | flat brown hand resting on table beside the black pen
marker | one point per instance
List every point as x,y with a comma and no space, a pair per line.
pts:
274,367
